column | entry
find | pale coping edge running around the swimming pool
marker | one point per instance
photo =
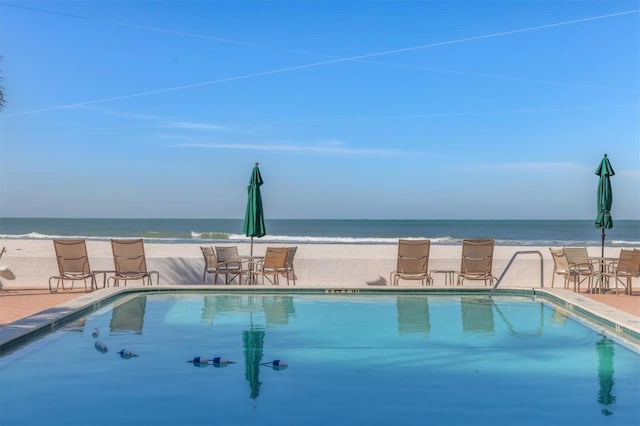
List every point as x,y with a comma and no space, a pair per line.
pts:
606,319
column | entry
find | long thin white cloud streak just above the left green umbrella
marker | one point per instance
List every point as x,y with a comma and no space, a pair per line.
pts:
326,147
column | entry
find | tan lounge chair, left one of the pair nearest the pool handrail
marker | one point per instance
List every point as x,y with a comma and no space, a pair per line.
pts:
413,262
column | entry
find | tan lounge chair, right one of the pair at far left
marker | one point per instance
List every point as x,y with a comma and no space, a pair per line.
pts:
130,263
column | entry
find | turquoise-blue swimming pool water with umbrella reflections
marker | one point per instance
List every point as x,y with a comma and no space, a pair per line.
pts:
374,359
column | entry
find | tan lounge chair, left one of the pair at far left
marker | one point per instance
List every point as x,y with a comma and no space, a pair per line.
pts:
73,265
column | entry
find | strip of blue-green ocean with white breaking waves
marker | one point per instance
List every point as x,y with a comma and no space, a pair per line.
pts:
625,233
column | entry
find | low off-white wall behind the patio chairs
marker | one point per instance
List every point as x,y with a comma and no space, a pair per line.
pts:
316,265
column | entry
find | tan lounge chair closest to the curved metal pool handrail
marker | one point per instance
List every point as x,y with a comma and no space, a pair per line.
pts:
476,262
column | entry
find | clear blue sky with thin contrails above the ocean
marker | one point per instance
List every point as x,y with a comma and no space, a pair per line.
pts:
354,109
